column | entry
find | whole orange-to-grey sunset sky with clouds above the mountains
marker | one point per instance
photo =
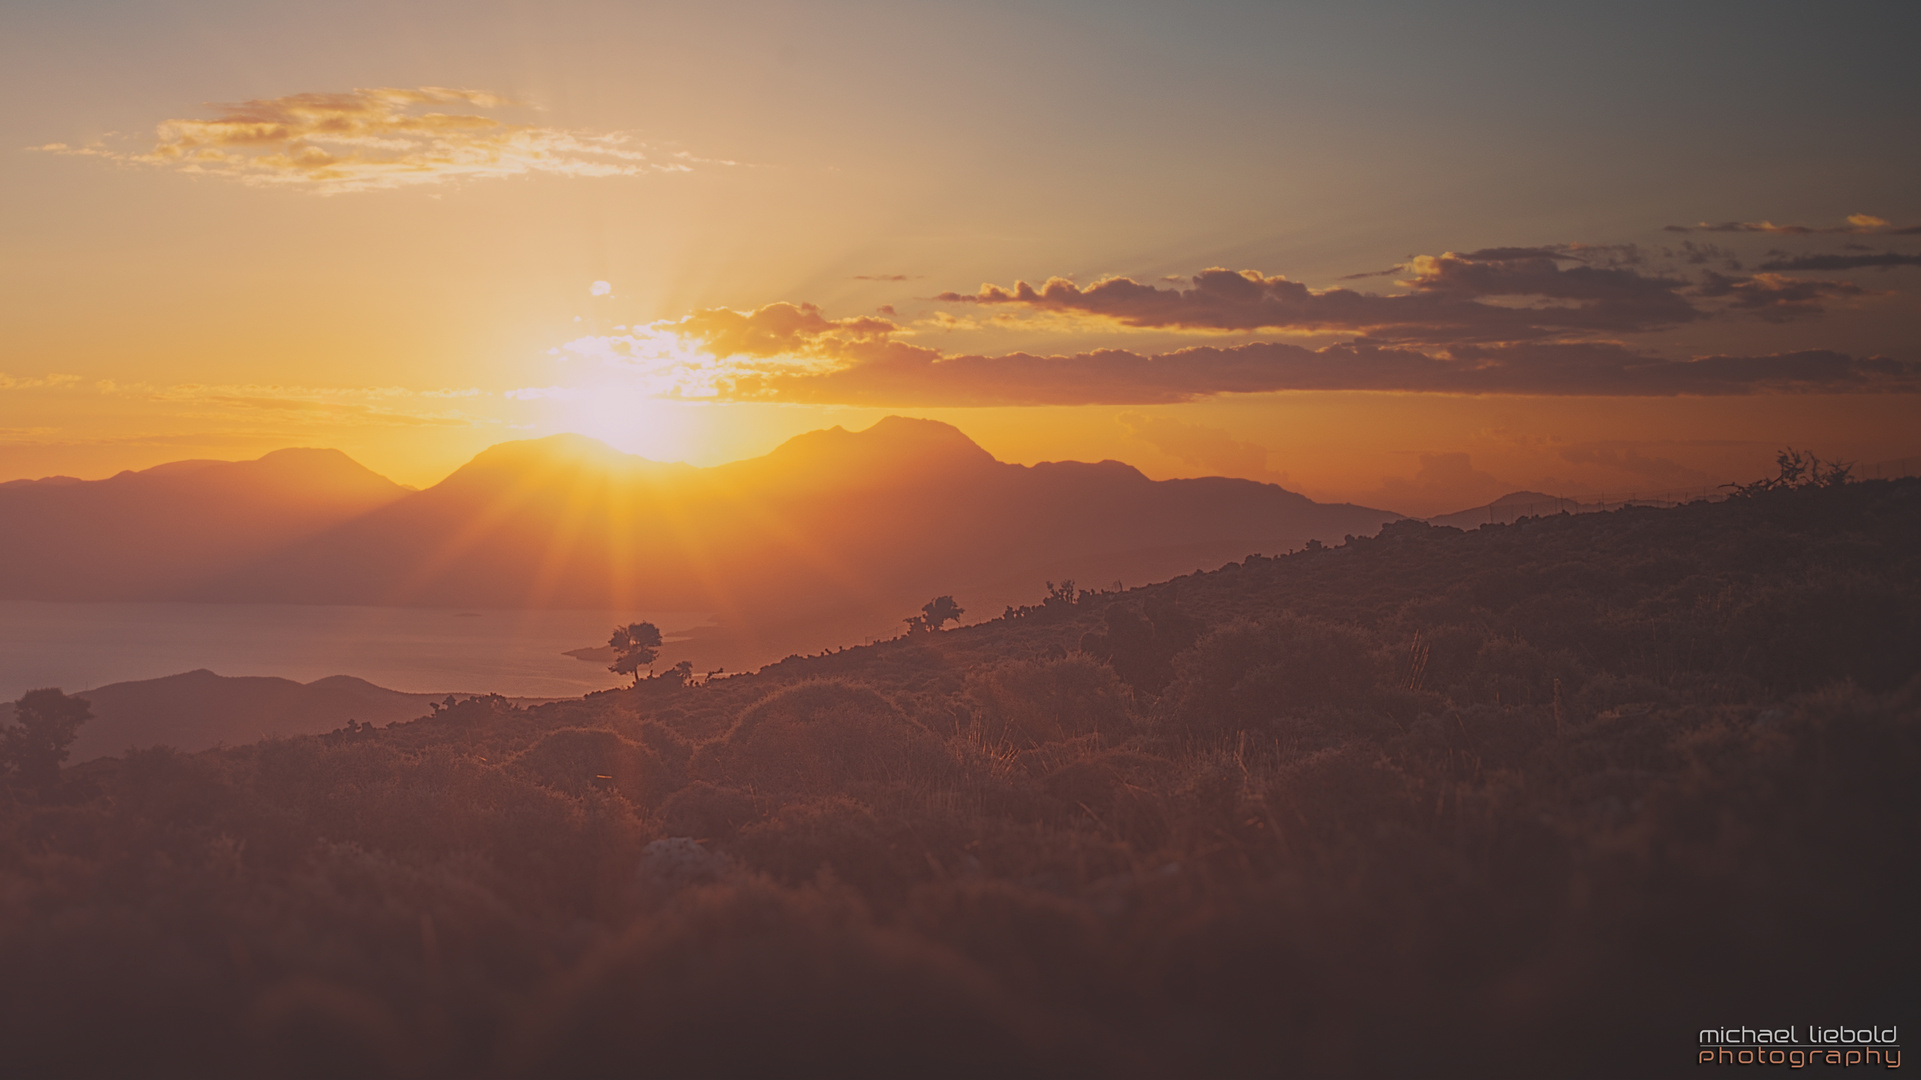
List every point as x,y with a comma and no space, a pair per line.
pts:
1403,255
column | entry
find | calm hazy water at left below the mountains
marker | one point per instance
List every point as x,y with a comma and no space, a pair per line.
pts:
422,650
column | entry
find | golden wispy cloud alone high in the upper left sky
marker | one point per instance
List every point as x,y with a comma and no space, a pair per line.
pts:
381,139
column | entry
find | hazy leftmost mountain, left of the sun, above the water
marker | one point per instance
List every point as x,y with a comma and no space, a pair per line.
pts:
164,531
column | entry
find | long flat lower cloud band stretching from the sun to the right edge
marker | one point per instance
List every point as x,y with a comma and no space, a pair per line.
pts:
794,353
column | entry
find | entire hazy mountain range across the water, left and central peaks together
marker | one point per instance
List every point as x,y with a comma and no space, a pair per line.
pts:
835,531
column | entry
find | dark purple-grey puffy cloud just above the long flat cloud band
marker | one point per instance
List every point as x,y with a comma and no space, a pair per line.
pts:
1503,295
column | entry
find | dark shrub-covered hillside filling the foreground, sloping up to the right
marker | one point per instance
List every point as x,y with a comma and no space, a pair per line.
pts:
1538,800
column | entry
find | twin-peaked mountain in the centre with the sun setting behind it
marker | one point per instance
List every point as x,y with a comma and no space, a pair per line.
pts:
829,520
